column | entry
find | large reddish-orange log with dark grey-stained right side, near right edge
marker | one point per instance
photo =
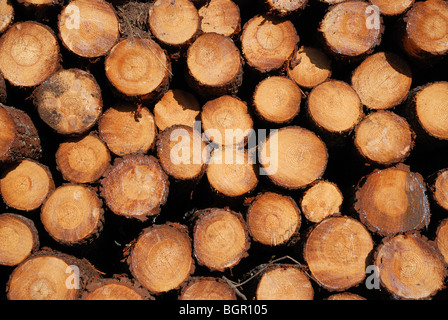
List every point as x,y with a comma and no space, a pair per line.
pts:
393,200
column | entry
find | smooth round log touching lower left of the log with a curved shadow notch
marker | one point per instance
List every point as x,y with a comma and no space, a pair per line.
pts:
334,107
